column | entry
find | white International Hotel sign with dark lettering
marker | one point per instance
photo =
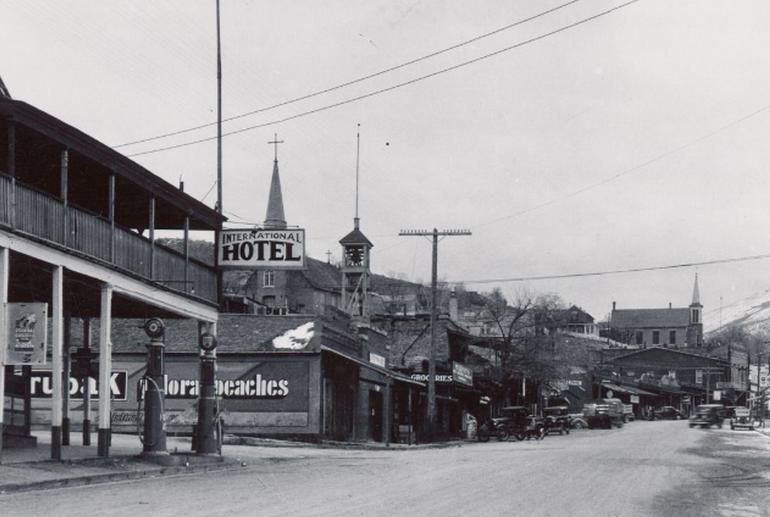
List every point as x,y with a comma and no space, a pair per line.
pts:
279,248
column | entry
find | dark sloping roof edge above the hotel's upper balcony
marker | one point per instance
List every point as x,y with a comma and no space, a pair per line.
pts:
85,144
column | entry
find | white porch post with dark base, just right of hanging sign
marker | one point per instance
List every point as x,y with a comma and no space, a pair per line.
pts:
57,371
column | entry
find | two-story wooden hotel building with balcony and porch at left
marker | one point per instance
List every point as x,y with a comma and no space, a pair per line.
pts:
78,222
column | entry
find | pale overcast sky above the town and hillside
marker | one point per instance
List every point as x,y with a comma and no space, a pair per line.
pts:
636,139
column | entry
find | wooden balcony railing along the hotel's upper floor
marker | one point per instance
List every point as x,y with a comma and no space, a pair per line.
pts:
42,216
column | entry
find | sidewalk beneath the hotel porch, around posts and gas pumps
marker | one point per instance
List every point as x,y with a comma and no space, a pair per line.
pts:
32,469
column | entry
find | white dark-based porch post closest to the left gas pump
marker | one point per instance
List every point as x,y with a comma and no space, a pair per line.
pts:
105,368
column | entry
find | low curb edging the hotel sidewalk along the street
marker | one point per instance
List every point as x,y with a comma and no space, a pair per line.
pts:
111,477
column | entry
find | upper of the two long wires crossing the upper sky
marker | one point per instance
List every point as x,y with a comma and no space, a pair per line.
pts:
353,81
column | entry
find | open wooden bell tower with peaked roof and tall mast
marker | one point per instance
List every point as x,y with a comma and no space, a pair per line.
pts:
356,251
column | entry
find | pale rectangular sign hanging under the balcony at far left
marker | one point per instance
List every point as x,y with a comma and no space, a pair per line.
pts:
27,326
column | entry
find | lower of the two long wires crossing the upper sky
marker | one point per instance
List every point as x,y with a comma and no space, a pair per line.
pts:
395,86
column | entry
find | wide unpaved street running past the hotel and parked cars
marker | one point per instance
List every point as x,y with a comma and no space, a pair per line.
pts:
646,468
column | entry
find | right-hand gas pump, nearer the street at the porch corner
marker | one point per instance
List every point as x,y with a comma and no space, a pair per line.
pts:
209,428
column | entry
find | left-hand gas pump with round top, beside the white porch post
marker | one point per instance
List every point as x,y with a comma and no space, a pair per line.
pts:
154,436
